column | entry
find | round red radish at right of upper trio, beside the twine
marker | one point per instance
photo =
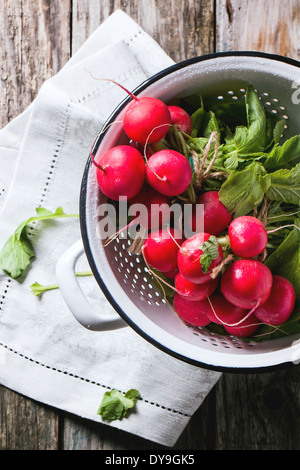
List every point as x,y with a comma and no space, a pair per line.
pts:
169,172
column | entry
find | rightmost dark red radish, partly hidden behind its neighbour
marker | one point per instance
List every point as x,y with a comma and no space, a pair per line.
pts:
280,304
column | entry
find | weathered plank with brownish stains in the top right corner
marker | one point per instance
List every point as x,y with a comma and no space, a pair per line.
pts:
271,27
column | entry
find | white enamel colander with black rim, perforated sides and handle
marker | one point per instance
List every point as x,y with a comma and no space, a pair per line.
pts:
123,277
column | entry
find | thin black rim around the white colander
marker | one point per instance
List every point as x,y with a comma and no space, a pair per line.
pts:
83,197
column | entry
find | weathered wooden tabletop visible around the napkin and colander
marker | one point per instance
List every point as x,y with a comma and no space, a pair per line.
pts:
37,37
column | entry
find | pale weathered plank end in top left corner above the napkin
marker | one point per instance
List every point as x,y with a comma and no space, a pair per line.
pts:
34,44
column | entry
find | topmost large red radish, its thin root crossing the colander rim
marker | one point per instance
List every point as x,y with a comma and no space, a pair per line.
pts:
146,120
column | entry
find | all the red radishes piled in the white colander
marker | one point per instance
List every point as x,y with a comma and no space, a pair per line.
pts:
244,293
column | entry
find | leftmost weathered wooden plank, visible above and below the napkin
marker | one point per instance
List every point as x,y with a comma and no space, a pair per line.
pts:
34,45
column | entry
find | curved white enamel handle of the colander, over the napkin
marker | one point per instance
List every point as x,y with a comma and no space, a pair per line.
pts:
76,299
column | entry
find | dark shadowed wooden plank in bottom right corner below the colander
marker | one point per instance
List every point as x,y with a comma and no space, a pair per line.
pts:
258,412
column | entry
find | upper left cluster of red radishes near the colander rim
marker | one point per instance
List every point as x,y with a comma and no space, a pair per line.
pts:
122,170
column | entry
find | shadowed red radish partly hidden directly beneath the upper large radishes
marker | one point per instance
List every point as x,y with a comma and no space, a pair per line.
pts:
156,206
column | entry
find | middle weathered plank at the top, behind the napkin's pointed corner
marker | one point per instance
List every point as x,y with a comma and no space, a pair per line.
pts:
184,28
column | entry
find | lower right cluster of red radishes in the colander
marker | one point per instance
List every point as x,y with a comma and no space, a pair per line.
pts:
244,295
